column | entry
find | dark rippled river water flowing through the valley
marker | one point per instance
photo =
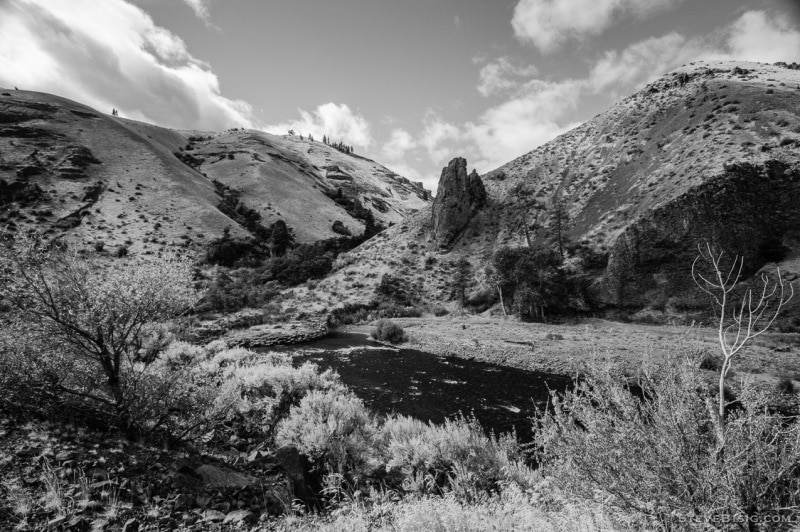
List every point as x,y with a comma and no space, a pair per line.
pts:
432,388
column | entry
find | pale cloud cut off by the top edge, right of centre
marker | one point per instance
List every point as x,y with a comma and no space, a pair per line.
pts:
548,24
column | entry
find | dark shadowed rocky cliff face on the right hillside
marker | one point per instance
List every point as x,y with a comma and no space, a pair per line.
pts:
749,211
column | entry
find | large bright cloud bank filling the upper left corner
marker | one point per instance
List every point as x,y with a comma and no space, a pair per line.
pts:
110,53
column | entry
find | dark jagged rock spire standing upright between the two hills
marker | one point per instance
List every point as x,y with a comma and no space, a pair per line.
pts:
459,197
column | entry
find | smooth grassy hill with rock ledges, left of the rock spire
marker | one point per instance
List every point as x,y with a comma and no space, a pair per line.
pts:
74,173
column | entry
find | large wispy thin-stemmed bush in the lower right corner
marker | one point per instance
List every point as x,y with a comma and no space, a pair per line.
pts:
656,454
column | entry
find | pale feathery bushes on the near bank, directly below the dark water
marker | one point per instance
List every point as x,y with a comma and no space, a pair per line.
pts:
336,431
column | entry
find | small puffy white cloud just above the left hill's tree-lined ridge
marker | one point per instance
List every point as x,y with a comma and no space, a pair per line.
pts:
337,121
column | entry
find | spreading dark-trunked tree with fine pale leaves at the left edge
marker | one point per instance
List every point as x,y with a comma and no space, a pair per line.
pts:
103,320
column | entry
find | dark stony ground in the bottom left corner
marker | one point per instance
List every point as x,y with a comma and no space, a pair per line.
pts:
62,477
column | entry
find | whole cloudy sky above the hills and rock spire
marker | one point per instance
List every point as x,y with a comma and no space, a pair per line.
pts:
409,83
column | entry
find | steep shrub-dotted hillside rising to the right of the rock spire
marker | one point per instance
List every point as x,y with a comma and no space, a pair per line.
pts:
708,152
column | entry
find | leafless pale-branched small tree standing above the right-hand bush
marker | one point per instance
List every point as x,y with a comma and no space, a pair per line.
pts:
738,323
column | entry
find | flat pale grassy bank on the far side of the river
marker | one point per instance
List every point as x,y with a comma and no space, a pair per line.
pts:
567,349
